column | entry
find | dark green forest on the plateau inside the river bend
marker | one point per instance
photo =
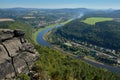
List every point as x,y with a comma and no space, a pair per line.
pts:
105,34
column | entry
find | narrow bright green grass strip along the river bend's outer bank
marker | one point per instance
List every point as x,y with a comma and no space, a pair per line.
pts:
34,35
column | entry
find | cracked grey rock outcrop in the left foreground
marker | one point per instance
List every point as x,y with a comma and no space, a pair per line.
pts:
16,55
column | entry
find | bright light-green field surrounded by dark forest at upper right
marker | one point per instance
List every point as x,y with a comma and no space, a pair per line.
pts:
94,20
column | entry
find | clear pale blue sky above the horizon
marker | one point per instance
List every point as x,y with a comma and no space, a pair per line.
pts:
92,4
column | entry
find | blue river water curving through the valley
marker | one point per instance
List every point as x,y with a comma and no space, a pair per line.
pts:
41,41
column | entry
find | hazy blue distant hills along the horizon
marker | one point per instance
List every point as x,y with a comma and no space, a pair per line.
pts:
8,12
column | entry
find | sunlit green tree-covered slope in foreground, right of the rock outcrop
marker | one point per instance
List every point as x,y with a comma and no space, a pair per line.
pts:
57,66
